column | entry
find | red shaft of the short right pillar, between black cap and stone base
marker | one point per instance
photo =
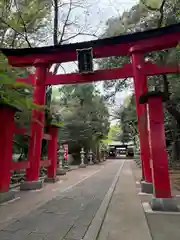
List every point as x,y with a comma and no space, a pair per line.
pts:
160,174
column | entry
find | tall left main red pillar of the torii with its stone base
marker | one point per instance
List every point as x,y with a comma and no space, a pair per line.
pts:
37,130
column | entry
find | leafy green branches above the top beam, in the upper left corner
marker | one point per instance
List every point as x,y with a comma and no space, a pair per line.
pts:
23,22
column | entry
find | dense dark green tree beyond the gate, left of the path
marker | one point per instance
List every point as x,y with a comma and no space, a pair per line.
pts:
84,114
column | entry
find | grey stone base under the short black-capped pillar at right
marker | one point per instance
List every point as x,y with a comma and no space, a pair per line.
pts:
164,204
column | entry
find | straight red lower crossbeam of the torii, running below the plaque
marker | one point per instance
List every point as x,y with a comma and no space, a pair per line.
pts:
102,75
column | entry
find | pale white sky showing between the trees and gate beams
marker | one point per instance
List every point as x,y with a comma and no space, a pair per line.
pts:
99,11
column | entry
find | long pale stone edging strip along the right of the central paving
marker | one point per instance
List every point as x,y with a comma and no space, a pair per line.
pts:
95,227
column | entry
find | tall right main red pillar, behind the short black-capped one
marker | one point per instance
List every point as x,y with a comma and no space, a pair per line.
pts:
140,86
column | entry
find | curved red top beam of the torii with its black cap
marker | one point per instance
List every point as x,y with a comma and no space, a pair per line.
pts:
147,41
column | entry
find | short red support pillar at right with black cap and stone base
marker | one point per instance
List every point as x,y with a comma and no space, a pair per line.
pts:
162,199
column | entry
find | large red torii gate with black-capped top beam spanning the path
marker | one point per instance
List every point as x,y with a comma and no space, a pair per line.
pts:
134,45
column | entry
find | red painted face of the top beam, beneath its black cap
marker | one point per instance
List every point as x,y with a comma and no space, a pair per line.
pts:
60,55
